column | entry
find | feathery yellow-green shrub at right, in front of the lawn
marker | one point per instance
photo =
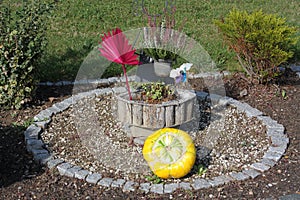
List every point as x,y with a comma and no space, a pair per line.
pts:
261,41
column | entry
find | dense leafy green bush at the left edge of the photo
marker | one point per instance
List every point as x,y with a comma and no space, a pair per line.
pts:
22,40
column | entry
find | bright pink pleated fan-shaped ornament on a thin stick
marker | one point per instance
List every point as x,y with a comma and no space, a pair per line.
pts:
115,48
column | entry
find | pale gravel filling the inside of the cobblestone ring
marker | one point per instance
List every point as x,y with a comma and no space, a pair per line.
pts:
87,135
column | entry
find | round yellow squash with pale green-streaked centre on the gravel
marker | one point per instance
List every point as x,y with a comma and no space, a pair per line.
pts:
170,153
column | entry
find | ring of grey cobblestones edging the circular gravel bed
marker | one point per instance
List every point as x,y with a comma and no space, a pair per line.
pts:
34,145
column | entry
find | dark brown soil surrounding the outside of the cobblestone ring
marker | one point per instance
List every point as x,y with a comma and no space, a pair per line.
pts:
21,178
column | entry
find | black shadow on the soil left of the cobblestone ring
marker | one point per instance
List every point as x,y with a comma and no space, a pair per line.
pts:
16,163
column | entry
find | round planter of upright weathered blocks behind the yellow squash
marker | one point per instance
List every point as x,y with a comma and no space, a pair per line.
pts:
144,118
